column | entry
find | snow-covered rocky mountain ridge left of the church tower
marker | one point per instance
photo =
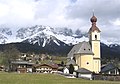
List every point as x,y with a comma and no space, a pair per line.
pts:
30,33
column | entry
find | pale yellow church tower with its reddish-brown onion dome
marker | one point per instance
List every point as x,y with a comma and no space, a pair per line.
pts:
94,39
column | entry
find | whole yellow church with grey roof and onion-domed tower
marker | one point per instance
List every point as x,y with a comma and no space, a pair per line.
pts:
87,54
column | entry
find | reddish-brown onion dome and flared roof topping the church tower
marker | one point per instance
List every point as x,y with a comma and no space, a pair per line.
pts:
93,21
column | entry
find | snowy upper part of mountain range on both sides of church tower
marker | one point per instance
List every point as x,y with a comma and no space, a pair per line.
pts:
43,35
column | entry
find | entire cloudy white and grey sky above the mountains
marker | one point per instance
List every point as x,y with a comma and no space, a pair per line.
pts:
63,13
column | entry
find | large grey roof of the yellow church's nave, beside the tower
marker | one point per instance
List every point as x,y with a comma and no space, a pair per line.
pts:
82,48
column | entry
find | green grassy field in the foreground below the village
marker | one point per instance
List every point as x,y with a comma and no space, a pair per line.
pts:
14,78
